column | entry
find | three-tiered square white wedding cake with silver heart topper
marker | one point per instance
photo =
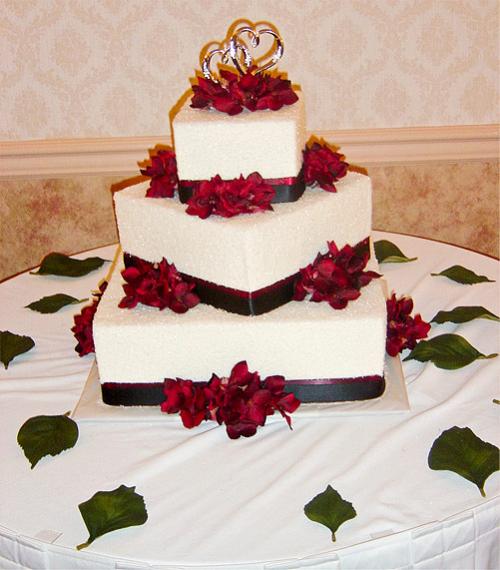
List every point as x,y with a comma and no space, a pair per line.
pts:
247,244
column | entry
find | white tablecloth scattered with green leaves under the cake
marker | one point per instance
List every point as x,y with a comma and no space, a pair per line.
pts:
213,502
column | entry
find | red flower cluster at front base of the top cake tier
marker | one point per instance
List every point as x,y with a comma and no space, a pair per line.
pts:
228,198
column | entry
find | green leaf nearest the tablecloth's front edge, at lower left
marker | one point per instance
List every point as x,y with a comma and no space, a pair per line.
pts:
107,511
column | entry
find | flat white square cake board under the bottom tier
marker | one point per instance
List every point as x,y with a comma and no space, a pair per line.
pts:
90,407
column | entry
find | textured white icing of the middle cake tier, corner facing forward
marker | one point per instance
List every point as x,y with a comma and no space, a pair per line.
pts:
250,251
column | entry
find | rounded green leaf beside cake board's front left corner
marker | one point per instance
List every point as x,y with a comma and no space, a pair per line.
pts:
46,435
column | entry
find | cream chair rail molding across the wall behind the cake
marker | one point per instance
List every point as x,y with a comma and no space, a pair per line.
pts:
366,147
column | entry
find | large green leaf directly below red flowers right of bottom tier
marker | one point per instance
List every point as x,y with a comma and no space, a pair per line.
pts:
449,351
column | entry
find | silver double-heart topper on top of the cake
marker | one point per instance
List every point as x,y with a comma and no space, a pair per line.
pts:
237,51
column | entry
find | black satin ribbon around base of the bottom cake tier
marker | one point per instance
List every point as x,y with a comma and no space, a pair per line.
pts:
323,390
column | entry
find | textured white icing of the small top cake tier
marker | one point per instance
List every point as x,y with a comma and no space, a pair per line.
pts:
208,142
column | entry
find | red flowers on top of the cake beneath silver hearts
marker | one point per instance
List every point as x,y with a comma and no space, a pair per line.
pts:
254,92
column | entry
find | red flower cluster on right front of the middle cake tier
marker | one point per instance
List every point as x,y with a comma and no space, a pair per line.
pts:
337,276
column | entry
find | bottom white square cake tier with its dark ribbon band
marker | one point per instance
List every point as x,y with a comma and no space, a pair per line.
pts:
324,354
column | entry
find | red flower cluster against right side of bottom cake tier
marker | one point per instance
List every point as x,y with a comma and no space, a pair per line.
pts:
403,331
